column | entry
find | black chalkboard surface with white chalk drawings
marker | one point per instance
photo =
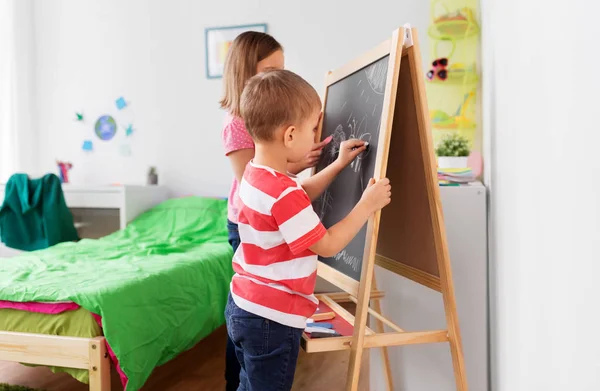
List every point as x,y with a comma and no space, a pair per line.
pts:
353,109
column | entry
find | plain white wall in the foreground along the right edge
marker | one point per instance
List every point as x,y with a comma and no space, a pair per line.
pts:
542,94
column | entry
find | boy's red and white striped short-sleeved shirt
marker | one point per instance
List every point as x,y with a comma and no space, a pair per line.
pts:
275,269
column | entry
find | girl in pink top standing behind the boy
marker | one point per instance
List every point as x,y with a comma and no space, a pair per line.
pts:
250,53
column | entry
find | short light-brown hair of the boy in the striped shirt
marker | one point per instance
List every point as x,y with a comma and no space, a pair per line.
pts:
274,99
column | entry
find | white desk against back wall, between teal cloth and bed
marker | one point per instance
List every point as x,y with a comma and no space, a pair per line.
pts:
111,207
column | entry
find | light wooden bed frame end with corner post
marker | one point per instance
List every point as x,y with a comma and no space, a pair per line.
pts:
54,350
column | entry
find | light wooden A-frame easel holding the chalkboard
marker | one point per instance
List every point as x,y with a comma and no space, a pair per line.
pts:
402,46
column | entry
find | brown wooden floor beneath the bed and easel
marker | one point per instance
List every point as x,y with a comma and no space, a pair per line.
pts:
200,368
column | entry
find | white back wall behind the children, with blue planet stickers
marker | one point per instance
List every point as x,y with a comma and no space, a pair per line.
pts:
152,52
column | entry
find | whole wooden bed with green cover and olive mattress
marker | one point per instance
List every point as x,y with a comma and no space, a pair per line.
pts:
138,297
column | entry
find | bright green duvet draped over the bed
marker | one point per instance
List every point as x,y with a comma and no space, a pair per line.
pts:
160,285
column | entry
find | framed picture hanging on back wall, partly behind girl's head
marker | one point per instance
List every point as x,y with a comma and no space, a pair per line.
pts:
218,40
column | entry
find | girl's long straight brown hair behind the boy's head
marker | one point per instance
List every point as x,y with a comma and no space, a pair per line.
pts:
246,51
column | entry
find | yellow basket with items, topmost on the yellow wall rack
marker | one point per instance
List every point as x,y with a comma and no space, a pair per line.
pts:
458,24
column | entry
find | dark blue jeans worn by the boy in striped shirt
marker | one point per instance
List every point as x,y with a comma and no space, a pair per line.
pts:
267,350
